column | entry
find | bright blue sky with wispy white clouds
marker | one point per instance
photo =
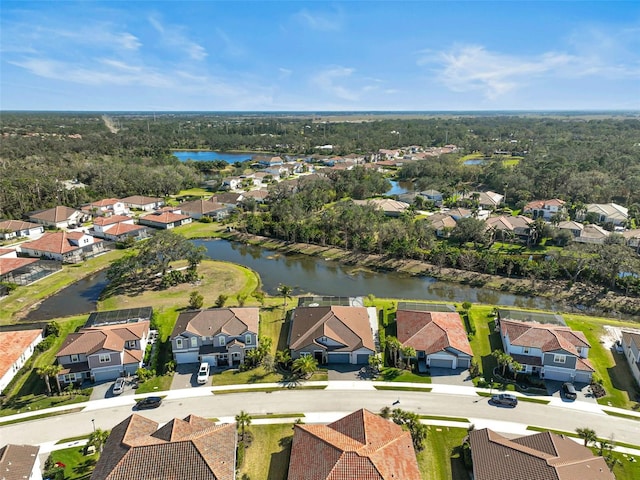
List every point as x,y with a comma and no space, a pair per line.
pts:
298,55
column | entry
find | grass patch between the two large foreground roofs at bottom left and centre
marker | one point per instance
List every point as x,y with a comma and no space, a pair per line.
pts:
268,456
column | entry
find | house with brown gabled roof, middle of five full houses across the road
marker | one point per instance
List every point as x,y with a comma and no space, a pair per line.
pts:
335,334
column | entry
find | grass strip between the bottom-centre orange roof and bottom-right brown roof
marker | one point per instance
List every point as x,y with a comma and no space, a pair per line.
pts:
441,459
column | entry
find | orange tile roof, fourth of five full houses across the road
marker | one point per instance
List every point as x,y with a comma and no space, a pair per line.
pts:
432,332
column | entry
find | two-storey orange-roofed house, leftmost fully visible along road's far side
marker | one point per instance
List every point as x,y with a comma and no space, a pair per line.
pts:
103,352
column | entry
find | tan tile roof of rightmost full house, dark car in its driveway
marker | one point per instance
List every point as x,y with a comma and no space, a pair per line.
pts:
543,336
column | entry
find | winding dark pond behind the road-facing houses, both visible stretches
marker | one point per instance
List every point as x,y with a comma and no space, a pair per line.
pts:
306,275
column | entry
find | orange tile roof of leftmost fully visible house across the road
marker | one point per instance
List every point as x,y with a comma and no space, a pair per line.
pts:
106,337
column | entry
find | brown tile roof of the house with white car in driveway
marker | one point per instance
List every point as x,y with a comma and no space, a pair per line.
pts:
211,322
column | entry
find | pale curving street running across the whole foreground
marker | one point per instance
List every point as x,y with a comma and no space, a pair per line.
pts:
566,418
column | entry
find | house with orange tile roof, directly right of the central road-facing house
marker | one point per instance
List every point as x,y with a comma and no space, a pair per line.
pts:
439,338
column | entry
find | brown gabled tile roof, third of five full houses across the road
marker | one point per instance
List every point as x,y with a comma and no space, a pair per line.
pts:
348,325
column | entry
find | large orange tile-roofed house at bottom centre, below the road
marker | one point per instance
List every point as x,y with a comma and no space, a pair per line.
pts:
361,445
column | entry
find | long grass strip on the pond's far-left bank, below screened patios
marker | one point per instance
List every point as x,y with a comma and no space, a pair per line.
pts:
24,297
